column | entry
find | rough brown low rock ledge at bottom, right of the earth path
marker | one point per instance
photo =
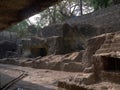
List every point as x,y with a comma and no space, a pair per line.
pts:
78,82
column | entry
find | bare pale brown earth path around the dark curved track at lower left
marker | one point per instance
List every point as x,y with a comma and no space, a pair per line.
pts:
37,79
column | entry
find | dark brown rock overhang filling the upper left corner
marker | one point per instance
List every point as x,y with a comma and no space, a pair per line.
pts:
14,11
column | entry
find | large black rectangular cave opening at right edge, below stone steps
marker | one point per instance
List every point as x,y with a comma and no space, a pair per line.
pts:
111,64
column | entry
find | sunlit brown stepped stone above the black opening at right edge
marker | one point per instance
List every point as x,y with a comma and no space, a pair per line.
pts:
111,44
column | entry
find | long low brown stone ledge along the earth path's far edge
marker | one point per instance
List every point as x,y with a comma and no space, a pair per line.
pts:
59,66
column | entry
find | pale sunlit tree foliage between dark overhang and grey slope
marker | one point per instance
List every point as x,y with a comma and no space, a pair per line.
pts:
61,12
